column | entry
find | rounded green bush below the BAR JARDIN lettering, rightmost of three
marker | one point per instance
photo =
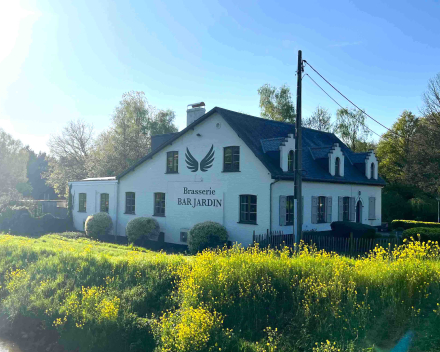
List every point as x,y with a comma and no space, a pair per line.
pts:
207,234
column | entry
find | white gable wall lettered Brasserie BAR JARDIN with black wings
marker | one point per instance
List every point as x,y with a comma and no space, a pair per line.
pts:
151,177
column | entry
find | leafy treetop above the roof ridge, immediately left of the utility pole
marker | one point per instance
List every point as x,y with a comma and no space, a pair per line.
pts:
276,104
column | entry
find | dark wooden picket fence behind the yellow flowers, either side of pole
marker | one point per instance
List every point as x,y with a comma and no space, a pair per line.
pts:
329,243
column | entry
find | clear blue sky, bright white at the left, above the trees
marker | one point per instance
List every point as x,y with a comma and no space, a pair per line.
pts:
64,60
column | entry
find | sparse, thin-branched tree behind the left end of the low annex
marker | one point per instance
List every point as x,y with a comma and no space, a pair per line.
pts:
69,152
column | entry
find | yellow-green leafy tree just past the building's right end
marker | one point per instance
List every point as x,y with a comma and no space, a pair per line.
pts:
396,149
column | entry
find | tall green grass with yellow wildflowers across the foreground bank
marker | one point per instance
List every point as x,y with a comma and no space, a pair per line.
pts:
114,298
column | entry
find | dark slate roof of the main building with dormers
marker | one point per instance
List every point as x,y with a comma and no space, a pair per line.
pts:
261,136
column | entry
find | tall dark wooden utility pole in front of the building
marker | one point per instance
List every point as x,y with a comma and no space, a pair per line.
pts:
298,152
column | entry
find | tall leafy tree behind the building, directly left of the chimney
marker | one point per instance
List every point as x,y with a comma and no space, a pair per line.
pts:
129,138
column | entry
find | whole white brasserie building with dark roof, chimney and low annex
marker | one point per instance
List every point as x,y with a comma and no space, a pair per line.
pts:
237,170
